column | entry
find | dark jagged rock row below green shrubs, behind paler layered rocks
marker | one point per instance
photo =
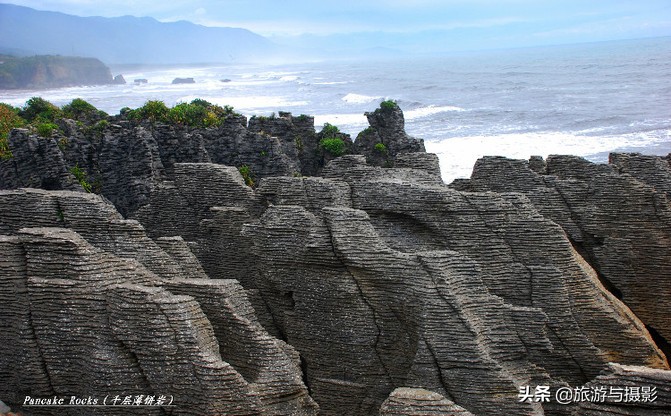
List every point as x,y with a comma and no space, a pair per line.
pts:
125,160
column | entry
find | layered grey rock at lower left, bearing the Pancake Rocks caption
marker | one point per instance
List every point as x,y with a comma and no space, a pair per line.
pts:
95,308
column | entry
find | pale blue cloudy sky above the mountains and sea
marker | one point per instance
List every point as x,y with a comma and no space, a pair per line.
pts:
454,24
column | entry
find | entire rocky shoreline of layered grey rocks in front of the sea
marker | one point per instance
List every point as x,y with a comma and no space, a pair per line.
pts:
336,284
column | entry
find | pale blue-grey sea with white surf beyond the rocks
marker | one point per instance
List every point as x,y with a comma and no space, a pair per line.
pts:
585,99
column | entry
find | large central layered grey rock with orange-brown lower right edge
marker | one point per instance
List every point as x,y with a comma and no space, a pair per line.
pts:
362,271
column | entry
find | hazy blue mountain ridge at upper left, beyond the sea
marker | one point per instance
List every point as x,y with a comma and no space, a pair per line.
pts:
126,39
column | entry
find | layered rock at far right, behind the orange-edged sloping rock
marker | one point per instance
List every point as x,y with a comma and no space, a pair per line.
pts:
617,216
